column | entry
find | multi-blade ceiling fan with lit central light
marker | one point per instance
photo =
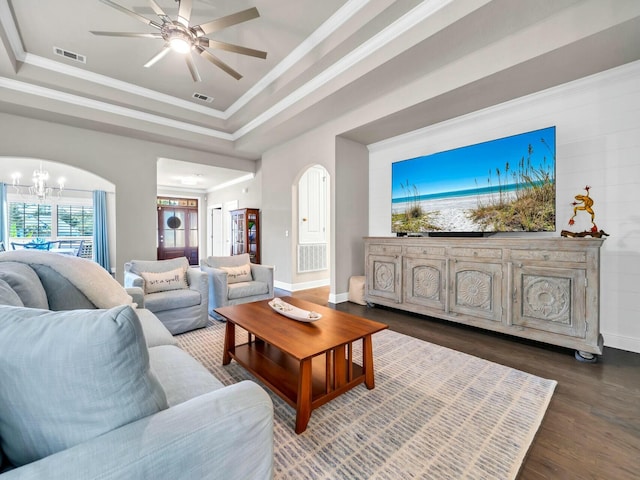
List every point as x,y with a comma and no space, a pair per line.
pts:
181,37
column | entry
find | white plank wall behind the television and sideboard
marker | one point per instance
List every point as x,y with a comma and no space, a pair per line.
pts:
597,144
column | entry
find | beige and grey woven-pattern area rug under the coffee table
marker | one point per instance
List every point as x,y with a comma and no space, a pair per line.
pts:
434,413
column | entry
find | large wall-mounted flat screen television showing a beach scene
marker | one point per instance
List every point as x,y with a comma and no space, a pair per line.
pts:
502,185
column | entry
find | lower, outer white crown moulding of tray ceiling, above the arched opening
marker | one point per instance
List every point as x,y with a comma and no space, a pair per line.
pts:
109,108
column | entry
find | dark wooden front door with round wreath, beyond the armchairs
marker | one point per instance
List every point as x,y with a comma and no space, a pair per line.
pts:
178,233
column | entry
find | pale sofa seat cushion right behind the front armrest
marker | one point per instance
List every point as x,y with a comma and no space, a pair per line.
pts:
181,376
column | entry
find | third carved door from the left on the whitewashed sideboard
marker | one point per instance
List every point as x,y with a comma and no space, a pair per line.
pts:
476,289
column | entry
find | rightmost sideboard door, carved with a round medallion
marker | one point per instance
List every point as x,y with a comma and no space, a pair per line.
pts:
550,299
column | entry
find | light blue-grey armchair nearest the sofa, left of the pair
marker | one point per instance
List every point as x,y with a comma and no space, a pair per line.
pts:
177,294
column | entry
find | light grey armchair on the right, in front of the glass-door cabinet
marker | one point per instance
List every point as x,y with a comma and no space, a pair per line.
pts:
234,280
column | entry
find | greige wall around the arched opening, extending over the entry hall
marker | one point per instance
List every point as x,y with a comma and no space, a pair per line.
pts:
127,163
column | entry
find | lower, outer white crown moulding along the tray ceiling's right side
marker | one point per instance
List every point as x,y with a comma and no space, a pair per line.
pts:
382,38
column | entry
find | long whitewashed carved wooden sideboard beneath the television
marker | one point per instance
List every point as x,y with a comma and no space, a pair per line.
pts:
544,289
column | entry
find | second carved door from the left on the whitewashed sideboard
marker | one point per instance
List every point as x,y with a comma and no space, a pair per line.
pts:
424,282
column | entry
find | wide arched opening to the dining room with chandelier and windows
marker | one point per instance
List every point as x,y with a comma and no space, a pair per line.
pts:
61,211
